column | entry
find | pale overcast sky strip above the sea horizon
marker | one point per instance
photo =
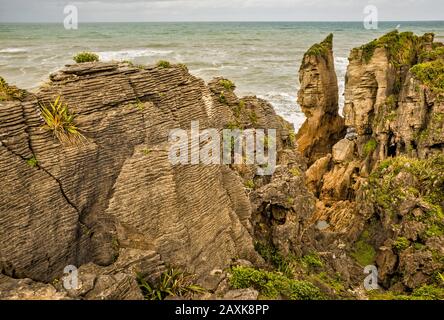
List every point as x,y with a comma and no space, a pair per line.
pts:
219,10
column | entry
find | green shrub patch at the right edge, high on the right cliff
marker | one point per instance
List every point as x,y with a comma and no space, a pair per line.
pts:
431,74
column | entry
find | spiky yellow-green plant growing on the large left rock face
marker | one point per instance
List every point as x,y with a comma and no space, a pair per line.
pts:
61,122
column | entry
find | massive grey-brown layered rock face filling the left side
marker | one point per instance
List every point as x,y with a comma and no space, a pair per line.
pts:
90,204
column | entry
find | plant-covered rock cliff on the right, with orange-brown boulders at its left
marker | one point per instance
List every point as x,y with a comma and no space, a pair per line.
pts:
386,212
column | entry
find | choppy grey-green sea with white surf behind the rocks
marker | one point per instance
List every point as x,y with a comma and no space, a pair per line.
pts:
262,58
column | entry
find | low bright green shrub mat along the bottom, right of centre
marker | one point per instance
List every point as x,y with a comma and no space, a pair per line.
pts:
273,285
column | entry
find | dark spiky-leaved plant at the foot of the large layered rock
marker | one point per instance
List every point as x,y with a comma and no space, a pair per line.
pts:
172,283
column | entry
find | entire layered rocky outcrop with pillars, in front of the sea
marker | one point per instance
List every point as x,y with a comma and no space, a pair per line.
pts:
114,206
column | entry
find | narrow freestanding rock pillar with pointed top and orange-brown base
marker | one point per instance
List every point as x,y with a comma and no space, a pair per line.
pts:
318,98
